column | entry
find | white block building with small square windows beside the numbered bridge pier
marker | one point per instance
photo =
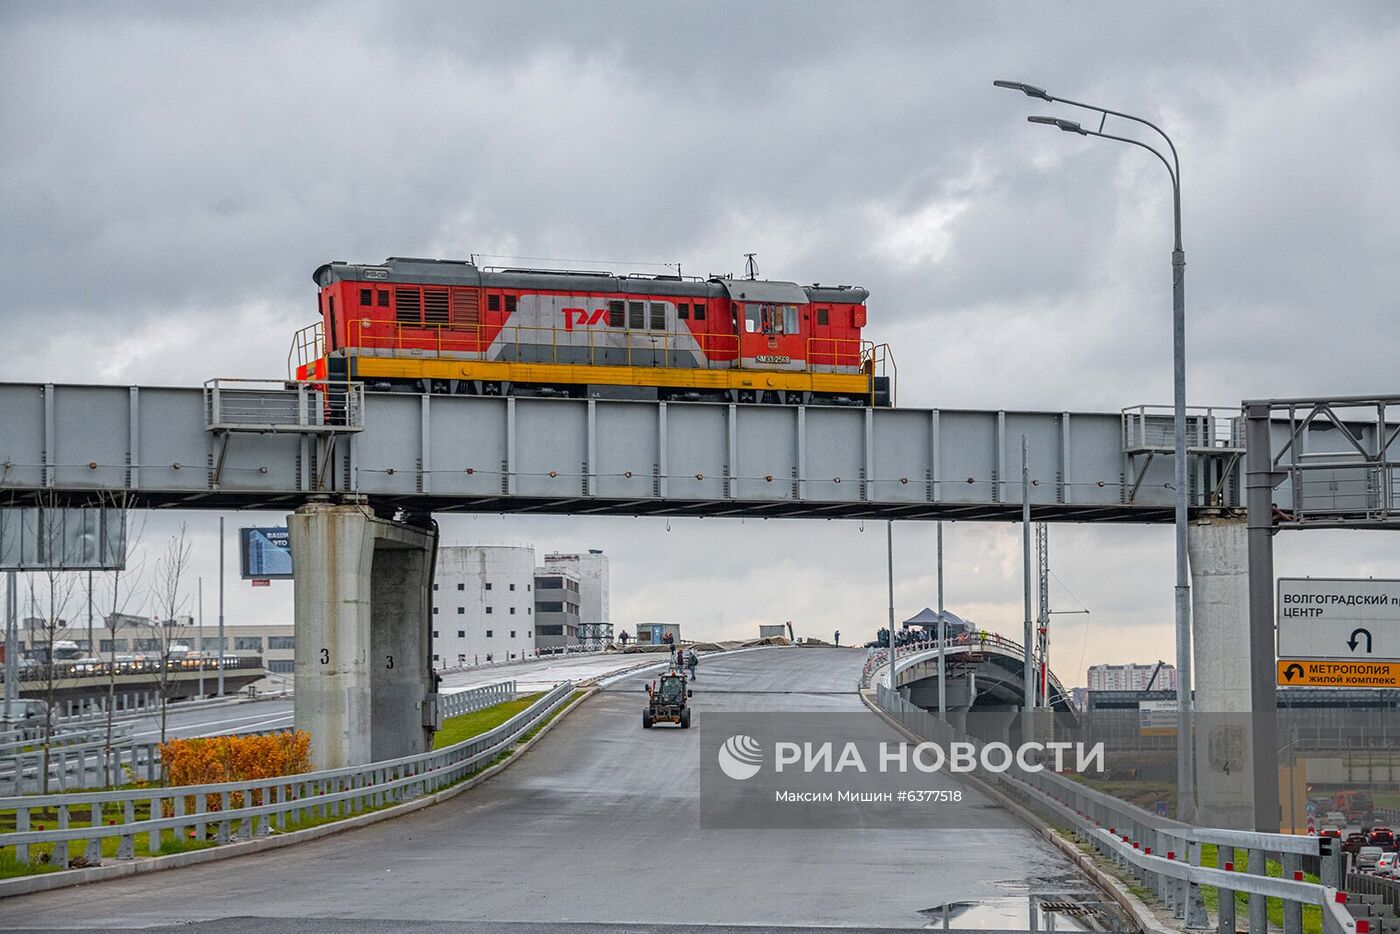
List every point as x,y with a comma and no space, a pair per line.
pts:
484,604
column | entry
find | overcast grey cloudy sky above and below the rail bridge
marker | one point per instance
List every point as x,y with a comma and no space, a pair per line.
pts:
171,174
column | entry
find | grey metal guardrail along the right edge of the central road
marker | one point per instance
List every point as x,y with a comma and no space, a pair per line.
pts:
1163,855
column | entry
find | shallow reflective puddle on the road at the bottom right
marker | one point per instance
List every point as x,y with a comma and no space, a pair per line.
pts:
1072,911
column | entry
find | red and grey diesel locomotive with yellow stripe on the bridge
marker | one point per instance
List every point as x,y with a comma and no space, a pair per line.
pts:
450,327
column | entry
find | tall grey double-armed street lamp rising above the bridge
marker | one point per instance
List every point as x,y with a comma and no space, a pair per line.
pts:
1185,772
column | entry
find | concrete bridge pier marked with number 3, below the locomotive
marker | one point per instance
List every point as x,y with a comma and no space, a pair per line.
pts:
363,627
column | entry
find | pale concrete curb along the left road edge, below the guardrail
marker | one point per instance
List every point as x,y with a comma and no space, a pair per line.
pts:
65,879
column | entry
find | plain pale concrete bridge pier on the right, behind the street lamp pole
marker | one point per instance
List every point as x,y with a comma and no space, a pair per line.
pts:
1220,610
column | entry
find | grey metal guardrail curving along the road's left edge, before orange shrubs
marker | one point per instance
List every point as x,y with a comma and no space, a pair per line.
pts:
244,810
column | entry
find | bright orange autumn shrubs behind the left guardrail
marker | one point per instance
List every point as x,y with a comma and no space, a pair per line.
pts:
218,760
